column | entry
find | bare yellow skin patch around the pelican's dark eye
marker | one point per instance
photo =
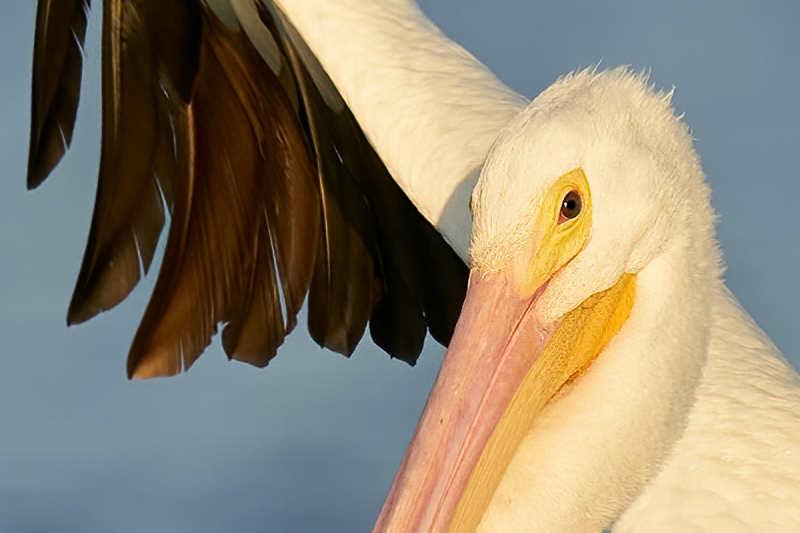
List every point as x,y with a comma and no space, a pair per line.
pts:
556,243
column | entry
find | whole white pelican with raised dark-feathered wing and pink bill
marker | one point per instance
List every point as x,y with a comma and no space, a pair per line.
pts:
600,373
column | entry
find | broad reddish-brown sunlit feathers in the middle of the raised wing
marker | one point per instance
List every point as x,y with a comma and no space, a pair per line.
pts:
246,217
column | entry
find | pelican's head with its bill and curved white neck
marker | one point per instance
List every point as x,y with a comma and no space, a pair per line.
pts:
582,337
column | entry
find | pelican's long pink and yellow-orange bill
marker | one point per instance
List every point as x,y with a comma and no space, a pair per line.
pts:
502,367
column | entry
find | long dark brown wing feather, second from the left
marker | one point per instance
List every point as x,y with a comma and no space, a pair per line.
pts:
150,55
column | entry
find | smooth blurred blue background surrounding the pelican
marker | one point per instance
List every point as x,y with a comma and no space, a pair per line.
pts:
312,443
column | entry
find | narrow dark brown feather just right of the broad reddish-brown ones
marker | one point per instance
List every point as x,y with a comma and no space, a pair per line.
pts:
347,282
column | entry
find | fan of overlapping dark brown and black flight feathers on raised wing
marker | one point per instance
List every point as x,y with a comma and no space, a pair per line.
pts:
274,191
